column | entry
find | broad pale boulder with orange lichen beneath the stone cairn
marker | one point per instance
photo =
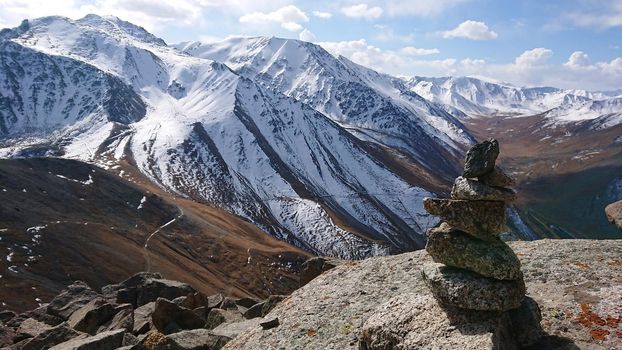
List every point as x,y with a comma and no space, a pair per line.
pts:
383,303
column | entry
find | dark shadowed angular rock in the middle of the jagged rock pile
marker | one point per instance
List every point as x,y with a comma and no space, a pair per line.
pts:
169,317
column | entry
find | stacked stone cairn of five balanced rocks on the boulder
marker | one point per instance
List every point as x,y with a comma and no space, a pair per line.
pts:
474,269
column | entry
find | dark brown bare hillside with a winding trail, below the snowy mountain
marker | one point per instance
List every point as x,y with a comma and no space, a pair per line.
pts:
64,220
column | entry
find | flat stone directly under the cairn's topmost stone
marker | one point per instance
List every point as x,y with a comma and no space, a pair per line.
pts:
475,190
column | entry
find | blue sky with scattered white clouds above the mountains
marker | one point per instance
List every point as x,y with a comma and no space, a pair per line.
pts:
570,44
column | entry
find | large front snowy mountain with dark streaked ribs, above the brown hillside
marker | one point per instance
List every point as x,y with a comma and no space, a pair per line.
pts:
196,128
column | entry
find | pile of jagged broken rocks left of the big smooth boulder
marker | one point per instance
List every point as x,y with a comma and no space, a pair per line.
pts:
144,312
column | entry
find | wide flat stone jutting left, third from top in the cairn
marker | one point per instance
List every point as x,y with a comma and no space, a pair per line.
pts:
482,219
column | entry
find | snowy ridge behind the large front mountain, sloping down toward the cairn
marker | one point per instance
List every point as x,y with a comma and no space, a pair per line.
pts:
372,106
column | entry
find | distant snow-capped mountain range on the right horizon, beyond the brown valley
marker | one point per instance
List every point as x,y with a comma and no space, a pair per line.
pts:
477,97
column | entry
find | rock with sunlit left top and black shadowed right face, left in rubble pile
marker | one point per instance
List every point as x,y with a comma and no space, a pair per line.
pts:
91,316
